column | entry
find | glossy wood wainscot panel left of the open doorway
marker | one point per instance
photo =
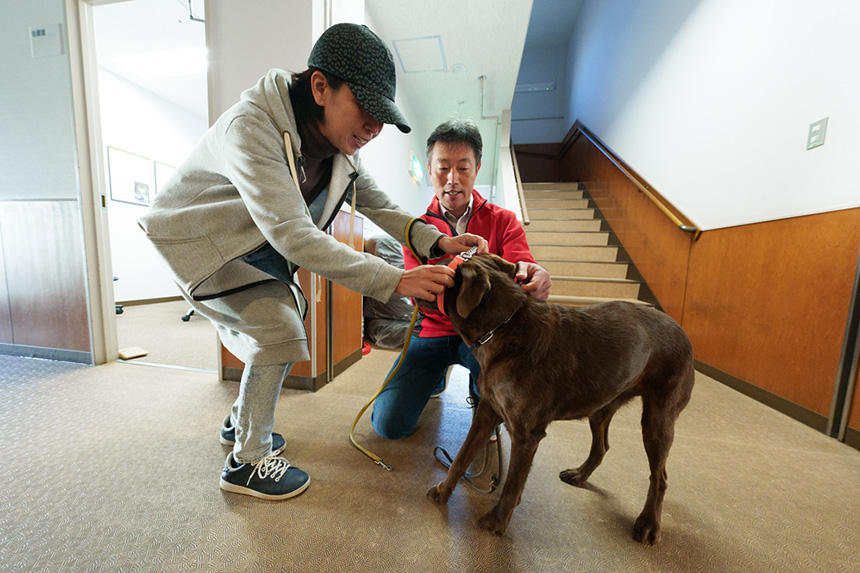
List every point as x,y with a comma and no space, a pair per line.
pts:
44,264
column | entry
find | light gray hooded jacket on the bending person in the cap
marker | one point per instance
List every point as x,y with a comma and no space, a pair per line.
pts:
235,193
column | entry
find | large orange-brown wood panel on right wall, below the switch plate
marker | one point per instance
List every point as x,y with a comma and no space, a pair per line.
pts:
768,303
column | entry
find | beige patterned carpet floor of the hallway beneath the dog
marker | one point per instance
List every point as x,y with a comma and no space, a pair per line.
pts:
115,468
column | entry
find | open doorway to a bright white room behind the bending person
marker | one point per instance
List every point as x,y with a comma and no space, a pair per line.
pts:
150,65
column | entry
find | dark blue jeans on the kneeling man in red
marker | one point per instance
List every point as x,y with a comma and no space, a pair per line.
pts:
397,409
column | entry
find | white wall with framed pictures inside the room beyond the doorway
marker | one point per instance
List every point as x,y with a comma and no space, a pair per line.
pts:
137,121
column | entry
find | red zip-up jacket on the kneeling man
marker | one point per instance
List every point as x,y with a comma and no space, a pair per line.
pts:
505,237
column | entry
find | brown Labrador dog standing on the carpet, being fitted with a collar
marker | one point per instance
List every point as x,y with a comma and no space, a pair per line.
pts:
543,361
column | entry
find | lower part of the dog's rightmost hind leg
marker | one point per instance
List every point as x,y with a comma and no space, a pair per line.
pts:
658,431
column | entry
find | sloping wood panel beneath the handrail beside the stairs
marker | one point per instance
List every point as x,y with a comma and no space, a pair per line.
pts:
658,248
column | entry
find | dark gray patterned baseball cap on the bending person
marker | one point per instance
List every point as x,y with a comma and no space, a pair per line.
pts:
353,53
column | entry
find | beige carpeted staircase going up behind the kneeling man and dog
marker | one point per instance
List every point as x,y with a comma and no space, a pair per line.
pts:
569,238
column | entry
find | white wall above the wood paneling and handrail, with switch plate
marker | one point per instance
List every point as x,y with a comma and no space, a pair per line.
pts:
711,101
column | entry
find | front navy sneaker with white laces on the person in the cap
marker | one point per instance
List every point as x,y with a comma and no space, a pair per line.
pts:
270,478
